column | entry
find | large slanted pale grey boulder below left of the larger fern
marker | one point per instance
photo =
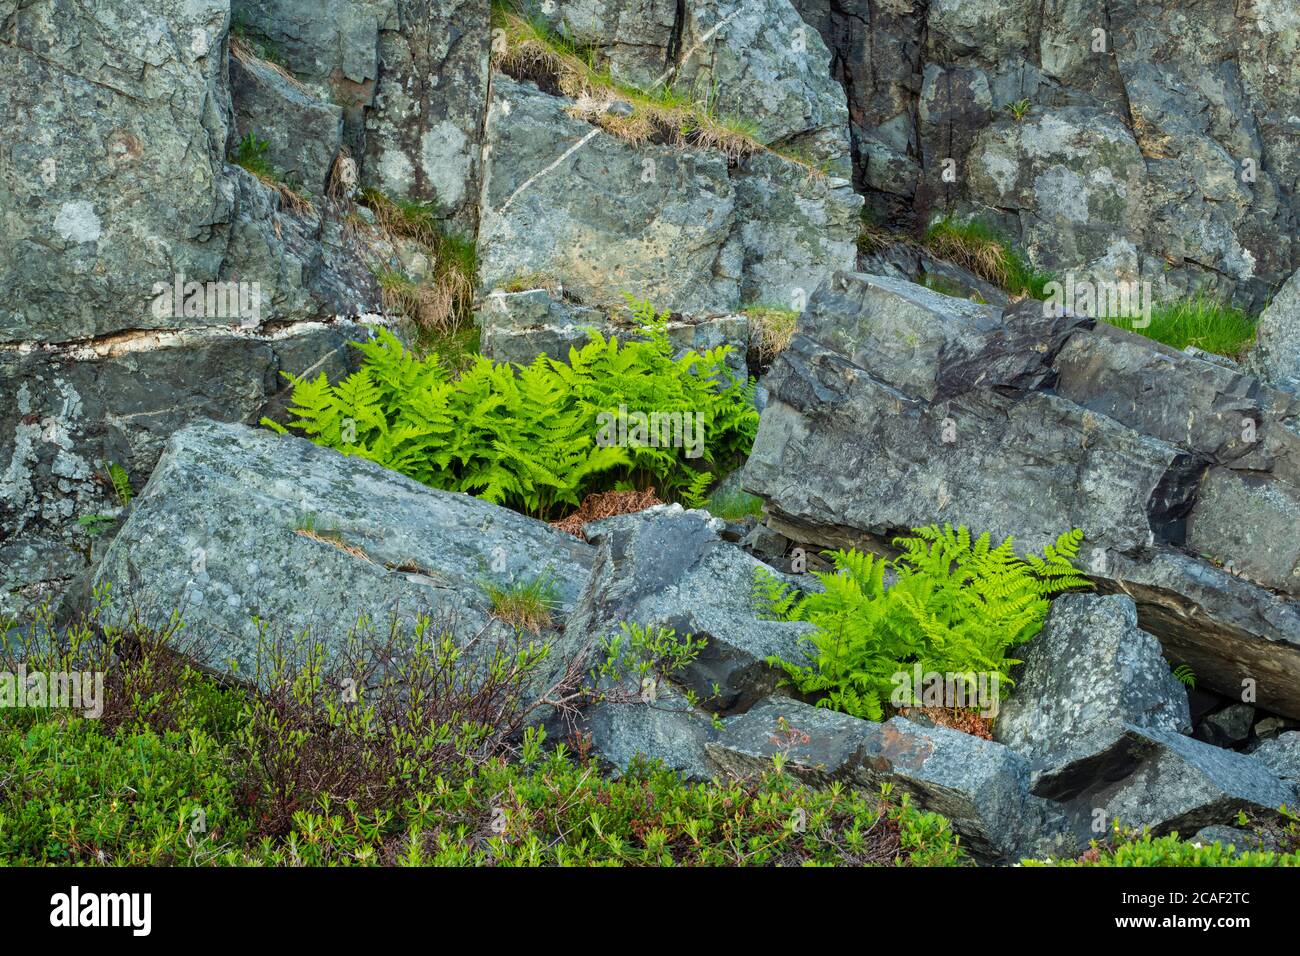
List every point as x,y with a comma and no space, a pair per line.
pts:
240,522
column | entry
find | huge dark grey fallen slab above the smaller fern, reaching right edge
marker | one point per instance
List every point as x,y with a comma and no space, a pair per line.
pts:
896,408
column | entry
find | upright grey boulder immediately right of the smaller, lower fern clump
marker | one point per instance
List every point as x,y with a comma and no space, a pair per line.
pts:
1089,676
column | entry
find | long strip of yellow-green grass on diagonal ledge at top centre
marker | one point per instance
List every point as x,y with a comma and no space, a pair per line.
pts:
527,49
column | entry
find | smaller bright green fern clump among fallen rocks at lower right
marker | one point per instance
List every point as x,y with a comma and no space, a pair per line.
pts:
957,607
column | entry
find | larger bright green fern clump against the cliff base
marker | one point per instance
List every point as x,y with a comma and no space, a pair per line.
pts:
527,438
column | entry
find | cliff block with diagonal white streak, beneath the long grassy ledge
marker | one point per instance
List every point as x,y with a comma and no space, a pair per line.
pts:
566,201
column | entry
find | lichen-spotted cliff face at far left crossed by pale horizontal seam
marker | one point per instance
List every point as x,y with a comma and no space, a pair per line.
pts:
179,287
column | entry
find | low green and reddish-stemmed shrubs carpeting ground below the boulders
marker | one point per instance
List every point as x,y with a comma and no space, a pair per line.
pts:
406,771
